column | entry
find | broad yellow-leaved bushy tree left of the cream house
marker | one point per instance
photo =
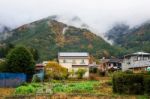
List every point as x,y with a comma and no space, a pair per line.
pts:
55,71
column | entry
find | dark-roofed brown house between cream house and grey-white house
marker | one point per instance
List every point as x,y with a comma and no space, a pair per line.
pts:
112,64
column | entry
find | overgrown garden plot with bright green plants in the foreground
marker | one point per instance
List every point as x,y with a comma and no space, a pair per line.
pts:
70,88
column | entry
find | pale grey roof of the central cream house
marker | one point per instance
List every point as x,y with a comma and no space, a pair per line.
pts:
72,54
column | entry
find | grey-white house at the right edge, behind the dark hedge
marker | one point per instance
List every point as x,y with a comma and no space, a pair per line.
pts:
136,62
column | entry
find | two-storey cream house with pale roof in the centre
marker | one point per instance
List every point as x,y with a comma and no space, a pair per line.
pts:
74,61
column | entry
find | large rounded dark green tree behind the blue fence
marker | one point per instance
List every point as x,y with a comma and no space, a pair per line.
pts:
20,60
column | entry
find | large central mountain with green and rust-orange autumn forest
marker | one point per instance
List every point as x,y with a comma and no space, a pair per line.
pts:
50,36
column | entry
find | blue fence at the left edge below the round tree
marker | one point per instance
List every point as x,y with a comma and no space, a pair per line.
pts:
12,79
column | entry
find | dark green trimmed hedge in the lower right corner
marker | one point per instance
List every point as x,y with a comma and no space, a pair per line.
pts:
131,83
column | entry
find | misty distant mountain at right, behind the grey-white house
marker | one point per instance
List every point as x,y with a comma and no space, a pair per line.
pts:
134,39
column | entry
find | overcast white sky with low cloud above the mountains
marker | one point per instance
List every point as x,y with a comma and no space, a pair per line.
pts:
99,14
